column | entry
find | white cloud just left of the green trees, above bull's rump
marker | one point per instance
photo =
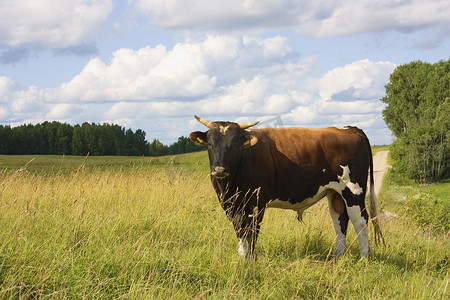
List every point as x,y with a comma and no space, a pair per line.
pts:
347,95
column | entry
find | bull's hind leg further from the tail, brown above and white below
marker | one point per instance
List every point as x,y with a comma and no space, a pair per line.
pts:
340,219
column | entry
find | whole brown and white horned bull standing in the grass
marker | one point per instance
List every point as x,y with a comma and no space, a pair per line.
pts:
290,168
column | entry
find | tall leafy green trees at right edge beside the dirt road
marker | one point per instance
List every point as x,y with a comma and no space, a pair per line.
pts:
418,114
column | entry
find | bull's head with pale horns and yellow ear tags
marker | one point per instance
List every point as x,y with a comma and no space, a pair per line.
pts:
227,141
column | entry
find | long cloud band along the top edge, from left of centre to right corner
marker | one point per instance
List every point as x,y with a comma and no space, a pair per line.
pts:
316,18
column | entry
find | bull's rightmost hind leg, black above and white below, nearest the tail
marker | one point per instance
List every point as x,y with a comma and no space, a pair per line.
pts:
357,212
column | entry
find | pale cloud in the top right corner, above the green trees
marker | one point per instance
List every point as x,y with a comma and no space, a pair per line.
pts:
350,17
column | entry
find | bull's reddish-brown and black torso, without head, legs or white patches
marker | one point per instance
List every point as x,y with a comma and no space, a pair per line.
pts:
291,163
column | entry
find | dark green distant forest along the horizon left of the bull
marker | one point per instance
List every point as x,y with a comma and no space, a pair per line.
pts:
96,139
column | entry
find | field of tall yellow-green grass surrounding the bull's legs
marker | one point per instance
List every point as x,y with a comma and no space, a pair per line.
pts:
151,228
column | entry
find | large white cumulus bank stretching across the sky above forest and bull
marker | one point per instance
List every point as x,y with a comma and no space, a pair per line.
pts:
219,77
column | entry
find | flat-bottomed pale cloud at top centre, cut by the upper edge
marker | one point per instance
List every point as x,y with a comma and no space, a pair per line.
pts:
219,14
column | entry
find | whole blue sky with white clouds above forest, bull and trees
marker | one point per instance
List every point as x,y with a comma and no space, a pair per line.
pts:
152,64
